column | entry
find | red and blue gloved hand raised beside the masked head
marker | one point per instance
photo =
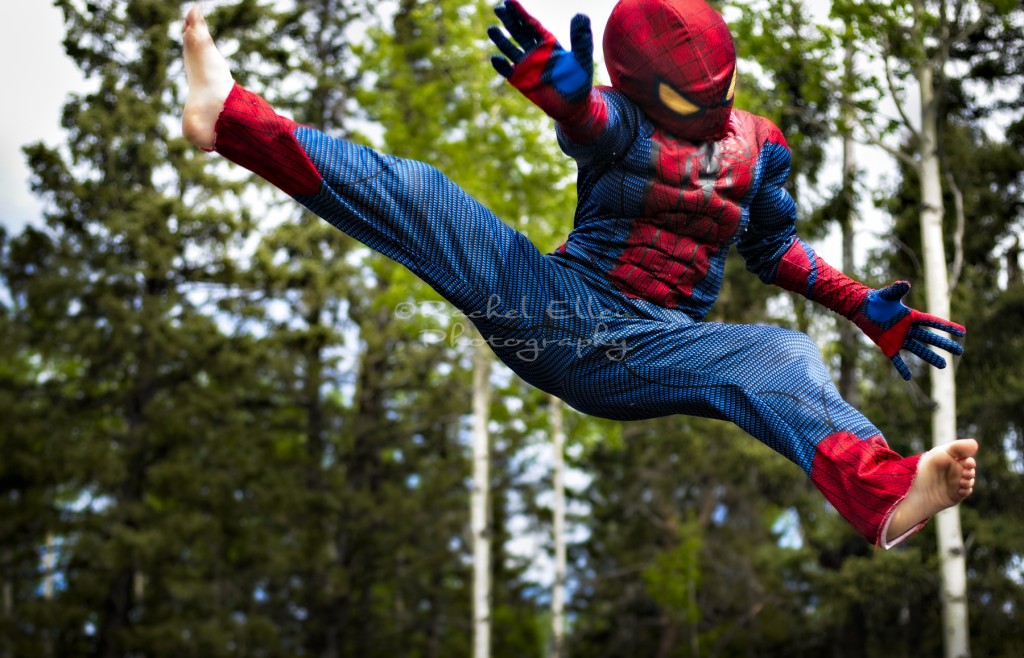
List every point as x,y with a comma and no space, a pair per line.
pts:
558,81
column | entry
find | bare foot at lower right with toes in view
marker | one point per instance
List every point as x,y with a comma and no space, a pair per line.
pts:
946,477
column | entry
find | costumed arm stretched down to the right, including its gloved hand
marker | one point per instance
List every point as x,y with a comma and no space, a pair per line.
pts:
778,256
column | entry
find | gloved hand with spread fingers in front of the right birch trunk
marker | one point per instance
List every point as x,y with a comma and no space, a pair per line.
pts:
894,327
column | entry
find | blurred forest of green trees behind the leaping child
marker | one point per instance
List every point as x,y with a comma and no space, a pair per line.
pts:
229,430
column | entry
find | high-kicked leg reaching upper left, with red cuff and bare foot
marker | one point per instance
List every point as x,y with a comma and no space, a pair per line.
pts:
404,209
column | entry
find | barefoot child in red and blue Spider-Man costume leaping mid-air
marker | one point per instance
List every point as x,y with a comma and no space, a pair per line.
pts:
671,178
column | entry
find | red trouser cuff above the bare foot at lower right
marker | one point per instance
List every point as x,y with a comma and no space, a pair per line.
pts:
865,480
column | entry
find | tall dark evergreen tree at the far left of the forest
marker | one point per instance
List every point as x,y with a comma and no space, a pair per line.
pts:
137,385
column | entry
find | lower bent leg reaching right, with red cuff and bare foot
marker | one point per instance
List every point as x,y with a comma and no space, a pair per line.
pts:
773,383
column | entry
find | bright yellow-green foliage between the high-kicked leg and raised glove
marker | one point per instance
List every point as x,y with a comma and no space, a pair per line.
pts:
447,106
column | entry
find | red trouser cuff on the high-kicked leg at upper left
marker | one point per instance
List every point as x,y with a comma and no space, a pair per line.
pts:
252,135
